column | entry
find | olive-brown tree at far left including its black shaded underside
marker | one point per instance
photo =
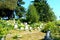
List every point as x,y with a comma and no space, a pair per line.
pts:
7,7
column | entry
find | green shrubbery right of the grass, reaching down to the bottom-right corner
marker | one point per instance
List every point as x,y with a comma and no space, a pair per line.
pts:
55,30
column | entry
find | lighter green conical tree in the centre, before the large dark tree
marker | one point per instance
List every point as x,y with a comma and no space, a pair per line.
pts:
32,15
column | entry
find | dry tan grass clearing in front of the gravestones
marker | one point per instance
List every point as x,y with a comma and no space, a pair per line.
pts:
25,35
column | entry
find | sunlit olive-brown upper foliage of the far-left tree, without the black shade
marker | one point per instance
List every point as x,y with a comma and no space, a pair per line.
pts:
8,4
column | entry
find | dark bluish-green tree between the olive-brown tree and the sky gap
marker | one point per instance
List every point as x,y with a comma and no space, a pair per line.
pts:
20,9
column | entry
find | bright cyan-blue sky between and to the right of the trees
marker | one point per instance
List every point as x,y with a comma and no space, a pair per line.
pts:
55,4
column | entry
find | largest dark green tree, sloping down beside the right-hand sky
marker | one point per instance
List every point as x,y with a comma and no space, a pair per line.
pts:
44,10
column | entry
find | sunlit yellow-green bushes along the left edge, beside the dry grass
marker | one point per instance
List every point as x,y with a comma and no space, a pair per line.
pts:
4,27
